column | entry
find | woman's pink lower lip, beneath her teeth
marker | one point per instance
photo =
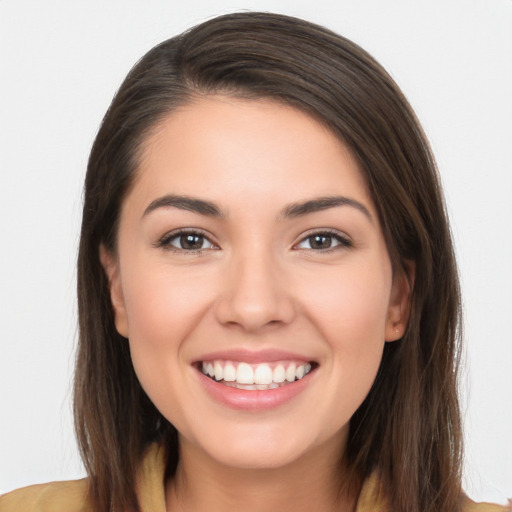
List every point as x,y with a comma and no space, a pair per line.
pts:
254,399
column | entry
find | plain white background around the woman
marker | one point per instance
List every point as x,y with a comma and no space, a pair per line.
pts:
60,64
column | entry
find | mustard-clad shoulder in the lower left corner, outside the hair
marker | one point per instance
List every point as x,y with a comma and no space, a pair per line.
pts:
68,496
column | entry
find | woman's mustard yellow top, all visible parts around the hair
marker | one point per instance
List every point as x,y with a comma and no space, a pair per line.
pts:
71,496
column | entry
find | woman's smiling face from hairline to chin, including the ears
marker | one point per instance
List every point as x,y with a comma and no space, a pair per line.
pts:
253,282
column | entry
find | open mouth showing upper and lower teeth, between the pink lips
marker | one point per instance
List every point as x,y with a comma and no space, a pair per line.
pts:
261,377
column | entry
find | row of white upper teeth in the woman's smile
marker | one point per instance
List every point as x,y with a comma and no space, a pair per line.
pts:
244,373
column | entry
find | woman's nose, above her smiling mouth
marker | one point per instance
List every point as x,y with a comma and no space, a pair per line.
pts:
254,294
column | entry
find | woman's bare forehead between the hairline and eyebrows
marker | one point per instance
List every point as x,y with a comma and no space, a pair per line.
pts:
229,148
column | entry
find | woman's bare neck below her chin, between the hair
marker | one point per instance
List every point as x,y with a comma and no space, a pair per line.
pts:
315,482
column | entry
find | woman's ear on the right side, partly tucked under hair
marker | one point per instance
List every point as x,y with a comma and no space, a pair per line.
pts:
399,308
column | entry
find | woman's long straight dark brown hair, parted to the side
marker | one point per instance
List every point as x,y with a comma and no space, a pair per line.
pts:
408,428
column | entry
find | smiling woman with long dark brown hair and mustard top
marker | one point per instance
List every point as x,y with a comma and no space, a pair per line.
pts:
268,299
